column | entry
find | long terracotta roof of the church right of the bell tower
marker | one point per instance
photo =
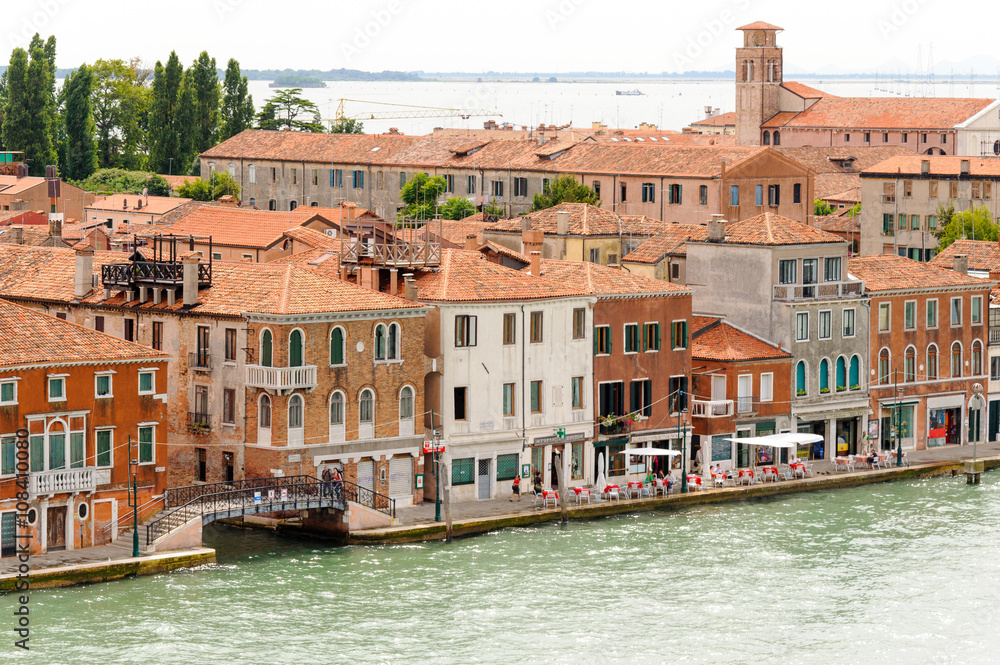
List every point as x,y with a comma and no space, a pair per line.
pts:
885,113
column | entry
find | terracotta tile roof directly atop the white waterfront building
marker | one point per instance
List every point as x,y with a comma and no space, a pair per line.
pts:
466,276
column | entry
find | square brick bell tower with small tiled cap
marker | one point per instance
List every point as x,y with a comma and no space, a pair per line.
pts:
758,81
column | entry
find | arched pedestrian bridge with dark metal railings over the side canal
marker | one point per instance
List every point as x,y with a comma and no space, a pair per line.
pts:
253,496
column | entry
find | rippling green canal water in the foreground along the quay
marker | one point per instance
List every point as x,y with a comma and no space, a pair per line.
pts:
905,572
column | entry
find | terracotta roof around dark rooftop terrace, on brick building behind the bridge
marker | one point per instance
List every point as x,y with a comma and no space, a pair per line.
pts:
47,274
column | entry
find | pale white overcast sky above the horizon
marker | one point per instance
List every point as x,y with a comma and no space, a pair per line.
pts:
509,35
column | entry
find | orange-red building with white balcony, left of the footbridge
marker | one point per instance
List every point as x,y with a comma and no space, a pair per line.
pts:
90,403
